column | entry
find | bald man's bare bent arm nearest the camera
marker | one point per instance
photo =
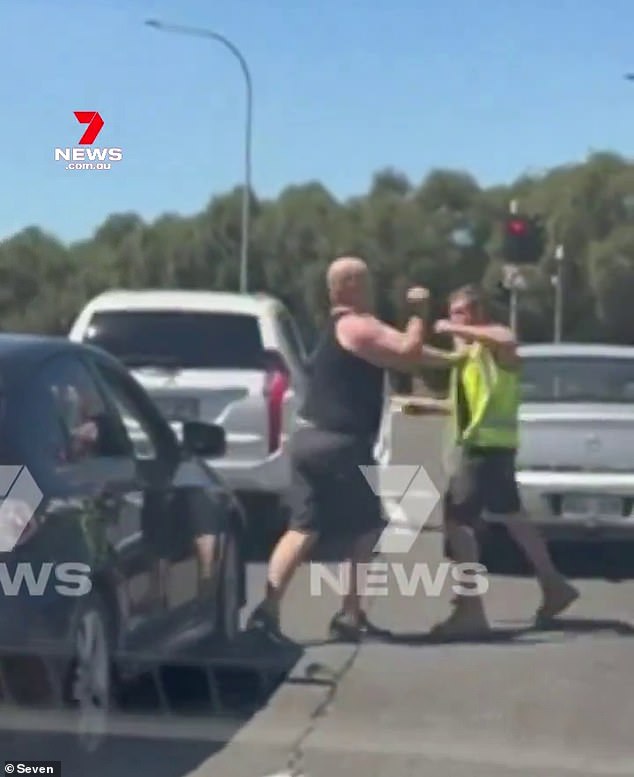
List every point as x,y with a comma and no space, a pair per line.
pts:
383,345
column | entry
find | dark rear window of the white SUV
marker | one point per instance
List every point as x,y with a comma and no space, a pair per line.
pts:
179,339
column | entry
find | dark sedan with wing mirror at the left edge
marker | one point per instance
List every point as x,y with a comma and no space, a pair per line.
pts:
118,544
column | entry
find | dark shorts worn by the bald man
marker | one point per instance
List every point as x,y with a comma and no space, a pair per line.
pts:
329,493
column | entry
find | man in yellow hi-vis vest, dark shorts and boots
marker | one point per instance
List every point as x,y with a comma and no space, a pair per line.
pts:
485,396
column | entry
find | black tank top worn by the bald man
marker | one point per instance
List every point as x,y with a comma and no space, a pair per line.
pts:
344,392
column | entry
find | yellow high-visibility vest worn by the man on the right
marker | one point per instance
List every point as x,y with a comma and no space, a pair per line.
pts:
491,394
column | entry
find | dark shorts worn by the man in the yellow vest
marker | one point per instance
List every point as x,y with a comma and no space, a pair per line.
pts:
484,479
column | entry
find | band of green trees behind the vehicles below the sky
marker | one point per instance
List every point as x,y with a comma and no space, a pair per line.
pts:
442,233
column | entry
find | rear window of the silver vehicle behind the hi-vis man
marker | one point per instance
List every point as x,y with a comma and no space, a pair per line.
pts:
577,379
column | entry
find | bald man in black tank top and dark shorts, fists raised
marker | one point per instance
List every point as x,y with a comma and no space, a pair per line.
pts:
339,424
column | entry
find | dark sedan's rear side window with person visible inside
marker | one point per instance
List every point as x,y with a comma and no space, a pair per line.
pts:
69,420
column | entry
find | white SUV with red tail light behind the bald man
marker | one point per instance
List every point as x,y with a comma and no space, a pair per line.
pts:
236,360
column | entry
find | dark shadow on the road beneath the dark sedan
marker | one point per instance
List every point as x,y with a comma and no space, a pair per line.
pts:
167,722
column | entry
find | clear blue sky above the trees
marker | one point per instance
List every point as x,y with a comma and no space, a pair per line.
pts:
340,90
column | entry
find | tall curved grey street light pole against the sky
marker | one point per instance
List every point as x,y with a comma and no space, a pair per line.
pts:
246,191
